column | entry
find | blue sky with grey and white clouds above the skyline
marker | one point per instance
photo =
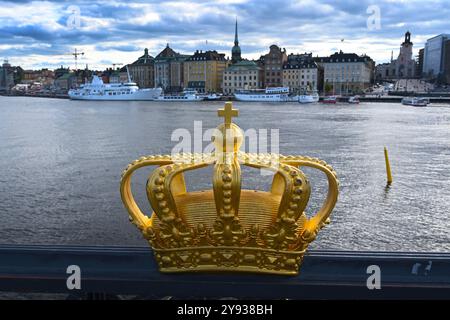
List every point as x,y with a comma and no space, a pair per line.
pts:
37,34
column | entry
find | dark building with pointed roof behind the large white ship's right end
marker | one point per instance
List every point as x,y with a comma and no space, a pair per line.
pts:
142,71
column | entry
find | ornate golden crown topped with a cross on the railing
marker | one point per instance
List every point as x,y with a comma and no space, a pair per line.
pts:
227,229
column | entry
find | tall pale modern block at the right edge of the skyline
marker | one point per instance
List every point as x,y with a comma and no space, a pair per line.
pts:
436,58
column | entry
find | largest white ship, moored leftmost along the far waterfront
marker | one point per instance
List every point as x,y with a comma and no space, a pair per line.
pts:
97,90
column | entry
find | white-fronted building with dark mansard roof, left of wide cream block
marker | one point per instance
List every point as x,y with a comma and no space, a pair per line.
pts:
301,73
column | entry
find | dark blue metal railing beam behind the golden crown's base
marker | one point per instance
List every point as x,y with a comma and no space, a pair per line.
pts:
133,271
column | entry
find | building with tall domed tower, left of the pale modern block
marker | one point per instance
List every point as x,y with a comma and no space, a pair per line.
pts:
404,67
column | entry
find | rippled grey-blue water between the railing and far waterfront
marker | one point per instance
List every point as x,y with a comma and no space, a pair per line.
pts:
60,166
